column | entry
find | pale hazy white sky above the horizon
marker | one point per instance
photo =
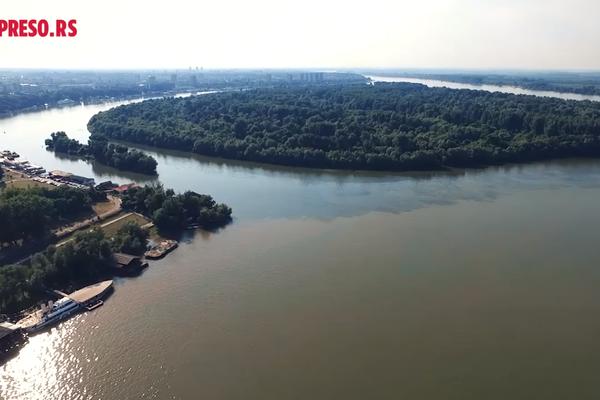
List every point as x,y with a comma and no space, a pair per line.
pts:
460,34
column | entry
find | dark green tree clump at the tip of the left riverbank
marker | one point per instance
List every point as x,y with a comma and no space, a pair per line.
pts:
172,212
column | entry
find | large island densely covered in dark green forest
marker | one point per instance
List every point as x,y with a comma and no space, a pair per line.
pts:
386,126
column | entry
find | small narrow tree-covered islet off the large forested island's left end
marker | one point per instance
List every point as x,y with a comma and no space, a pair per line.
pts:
98,148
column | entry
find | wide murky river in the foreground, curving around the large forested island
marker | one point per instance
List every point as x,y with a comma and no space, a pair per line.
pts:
478,284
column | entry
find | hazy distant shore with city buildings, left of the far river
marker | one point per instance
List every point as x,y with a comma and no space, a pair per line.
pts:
27,90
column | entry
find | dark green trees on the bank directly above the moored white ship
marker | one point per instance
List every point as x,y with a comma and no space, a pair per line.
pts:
78,262
